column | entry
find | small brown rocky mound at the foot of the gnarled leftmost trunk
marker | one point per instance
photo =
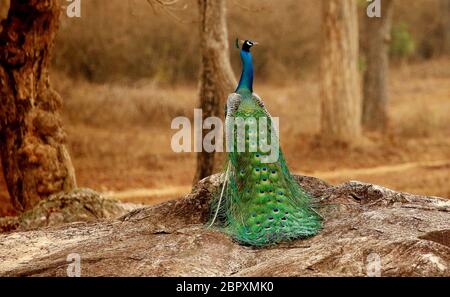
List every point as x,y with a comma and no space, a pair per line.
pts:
79,205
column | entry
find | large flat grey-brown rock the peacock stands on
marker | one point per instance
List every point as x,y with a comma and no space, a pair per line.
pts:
369,230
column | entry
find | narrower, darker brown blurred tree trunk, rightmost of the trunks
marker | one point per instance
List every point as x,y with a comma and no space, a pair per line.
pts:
376,94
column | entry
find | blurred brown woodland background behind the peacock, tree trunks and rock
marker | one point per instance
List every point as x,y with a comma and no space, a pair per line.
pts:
125,69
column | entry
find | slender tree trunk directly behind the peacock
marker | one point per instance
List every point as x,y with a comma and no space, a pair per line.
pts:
216,79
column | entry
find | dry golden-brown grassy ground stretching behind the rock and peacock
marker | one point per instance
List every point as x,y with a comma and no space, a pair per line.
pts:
119,136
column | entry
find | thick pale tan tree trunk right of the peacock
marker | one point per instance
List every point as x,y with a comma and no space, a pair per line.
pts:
340,83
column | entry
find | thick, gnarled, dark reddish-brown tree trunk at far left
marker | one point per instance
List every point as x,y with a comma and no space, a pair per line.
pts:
34,158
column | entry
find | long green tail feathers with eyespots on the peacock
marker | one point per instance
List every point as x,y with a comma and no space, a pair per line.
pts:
260,203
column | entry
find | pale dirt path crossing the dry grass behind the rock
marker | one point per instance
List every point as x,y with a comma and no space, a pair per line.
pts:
157,195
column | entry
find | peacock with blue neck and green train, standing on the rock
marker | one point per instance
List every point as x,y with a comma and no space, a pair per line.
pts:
259,202
